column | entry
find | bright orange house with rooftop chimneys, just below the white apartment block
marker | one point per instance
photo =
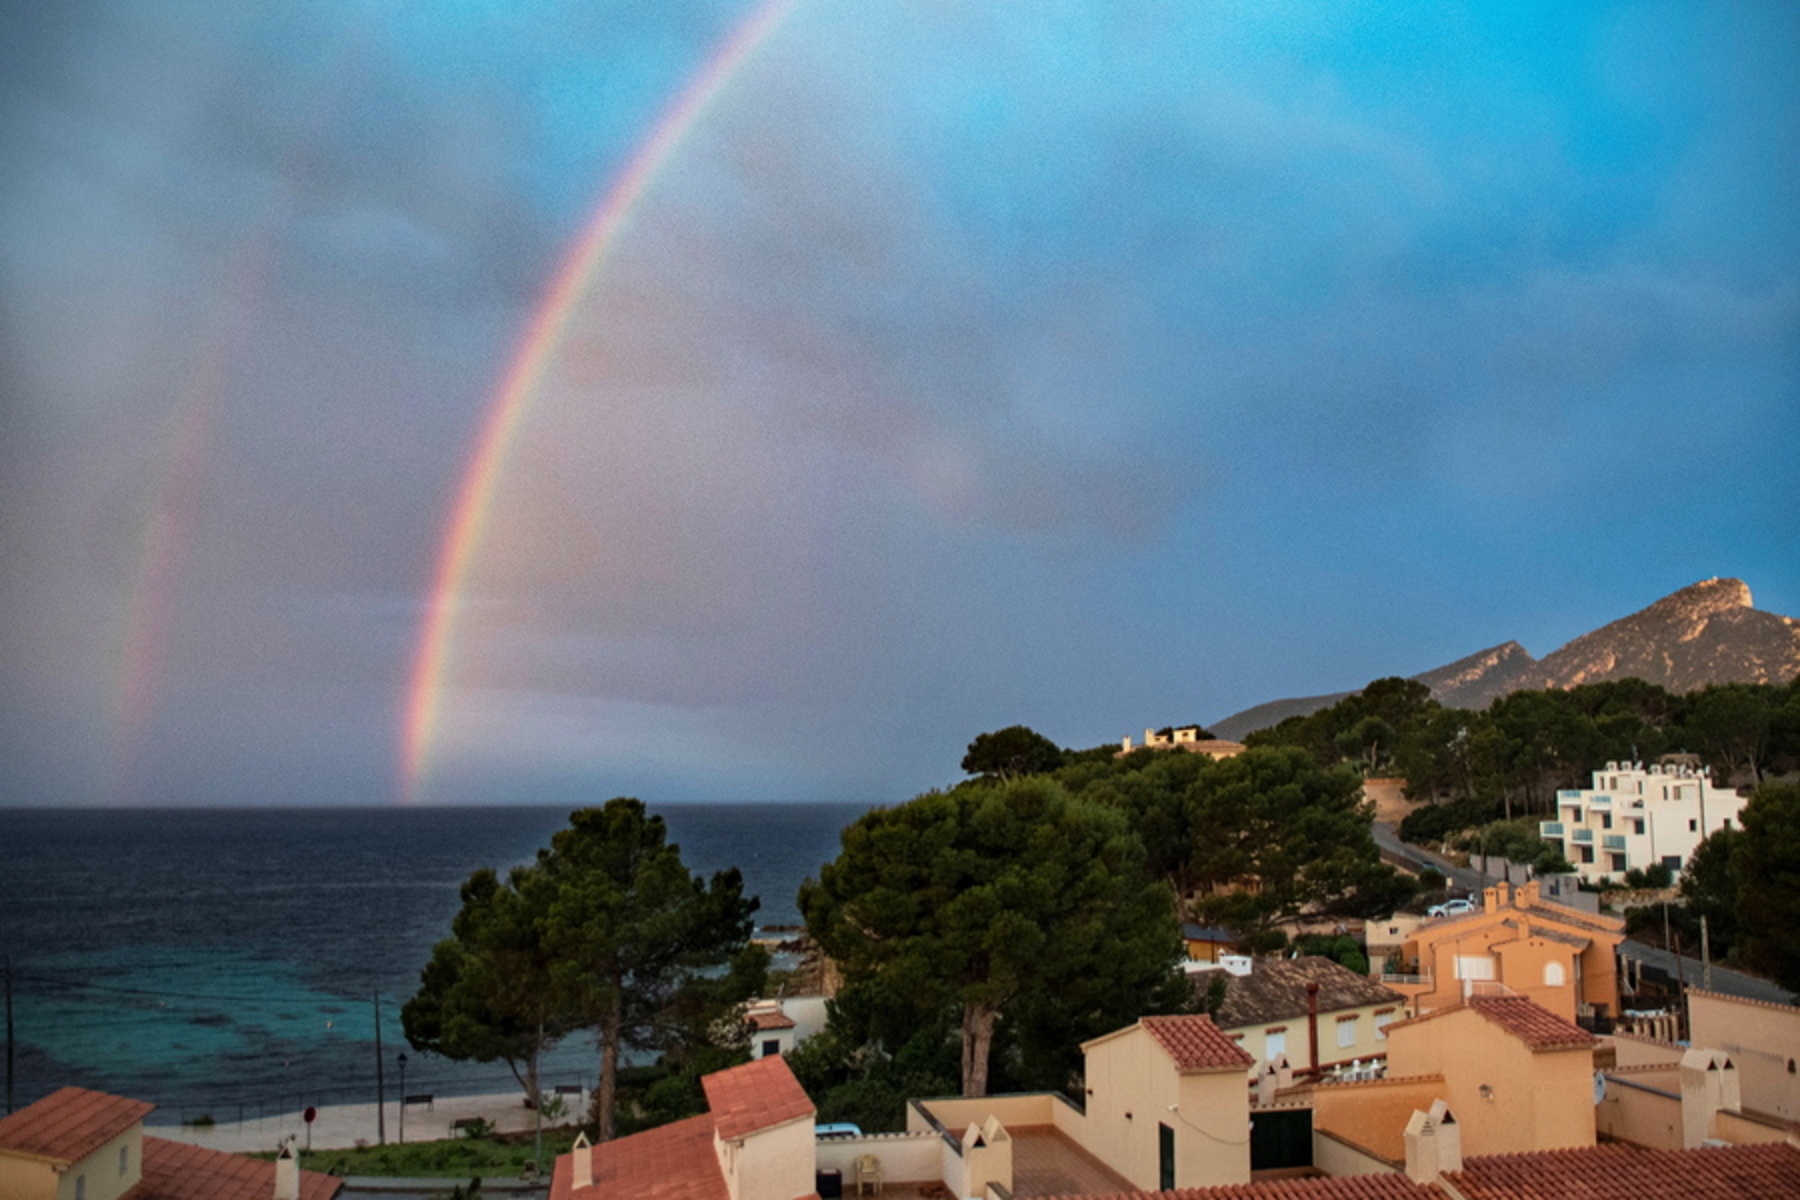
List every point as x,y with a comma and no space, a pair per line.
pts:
1518,944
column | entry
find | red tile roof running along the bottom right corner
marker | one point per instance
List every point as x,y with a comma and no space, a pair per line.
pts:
1619,1172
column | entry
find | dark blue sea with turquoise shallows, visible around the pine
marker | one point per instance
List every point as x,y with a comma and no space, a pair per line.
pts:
242,963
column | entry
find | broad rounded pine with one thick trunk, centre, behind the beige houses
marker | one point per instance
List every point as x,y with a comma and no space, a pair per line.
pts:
989,895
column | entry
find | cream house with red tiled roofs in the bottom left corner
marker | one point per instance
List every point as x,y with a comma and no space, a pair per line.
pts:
80,1145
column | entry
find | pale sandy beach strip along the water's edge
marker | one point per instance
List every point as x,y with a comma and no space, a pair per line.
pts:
341,1127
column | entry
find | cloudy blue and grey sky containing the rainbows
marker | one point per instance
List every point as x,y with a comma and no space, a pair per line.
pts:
755,400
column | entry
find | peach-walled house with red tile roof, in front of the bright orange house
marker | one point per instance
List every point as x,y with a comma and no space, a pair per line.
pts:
1516,1075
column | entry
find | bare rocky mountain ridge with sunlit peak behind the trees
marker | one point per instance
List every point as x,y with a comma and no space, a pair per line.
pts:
1704,634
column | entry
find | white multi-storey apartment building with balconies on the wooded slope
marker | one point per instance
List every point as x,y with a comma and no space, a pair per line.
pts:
1635,818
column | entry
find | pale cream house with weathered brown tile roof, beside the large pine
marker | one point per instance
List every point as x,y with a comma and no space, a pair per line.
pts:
1313,1012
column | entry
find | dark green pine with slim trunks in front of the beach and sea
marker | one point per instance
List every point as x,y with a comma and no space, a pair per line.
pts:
607,931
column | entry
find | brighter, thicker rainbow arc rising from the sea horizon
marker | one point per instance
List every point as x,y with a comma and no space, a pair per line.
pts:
462,539
